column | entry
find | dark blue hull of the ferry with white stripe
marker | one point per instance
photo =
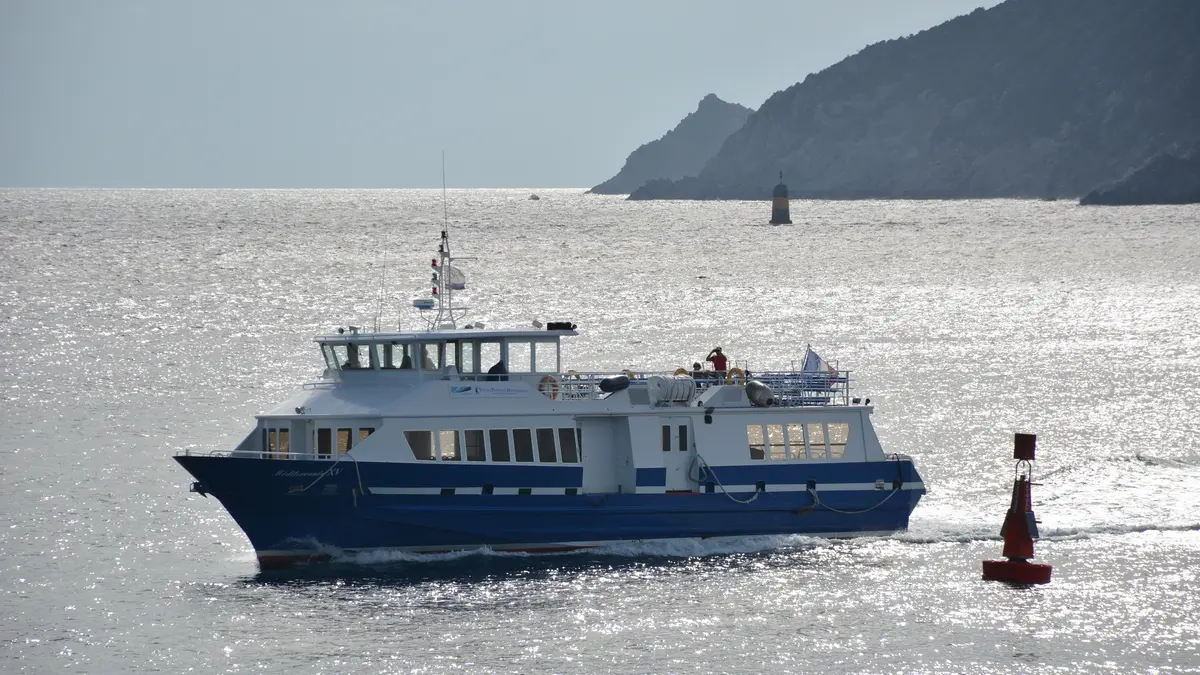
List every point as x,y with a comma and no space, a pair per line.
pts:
291,512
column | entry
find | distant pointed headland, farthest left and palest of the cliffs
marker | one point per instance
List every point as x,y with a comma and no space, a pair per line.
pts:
681,152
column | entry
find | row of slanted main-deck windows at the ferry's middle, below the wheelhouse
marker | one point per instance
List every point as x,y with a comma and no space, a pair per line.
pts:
500,445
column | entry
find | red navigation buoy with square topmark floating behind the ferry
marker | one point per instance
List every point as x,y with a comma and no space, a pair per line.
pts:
1021,525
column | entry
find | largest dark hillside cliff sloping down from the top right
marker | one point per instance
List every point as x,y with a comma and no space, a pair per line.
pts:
1028,99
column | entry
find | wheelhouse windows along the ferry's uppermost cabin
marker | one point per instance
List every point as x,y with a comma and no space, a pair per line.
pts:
469,356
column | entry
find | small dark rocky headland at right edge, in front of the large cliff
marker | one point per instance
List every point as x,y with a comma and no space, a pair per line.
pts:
1166,180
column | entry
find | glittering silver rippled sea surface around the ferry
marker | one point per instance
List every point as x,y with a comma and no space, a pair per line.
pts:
139,324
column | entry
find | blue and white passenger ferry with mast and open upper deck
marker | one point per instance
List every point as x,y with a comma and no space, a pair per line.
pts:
463,437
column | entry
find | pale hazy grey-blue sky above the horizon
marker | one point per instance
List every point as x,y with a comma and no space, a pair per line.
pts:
369,93
